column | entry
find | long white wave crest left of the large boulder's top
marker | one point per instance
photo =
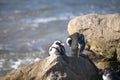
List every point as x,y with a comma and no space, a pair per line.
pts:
61,17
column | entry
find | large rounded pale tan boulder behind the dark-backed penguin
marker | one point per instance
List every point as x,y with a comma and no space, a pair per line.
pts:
102,34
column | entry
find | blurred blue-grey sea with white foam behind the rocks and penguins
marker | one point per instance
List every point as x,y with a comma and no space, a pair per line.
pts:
28,27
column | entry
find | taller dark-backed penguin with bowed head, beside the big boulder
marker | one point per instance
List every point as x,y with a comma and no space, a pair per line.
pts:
77,43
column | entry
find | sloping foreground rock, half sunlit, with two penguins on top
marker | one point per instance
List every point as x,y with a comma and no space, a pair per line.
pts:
50,68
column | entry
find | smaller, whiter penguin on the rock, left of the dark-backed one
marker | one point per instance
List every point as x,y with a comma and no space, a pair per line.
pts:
57,48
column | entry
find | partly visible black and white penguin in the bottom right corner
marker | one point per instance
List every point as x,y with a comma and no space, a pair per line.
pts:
109,74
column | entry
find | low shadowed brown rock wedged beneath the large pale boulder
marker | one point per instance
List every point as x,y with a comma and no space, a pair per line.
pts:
101,62
